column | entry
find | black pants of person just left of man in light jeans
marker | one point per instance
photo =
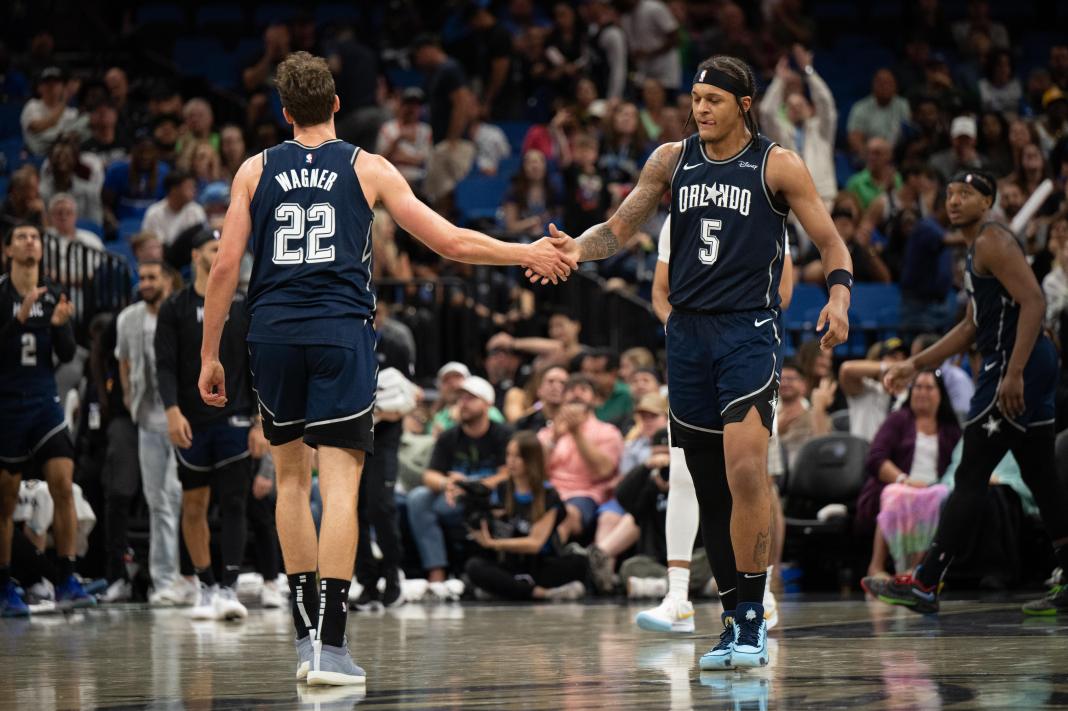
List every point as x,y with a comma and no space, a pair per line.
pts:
121,479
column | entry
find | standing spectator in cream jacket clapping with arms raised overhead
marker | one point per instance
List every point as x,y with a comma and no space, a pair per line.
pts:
798,124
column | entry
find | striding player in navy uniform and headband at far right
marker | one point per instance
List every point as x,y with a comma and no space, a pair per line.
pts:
1013,409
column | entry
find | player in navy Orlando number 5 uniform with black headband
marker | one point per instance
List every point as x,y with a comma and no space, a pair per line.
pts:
732,191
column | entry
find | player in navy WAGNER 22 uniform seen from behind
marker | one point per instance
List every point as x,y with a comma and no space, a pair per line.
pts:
307,204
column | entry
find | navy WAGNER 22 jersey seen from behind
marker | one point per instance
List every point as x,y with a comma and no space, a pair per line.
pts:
311,246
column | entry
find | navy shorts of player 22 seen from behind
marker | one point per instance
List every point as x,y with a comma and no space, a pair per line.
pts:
325,394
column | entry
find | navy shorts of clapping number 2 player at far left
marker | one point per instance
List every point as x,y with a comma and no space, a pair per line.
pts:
33,429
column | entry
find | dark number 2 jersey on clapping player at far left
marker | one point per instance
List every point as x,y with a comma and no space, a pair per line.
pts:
27,350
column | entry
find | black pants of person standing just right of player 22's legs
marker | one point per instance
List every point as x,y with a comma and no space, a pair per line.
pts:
378,509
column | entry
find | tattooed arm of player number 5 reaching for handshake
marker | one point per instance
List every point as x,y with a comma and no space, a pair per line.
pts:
604,241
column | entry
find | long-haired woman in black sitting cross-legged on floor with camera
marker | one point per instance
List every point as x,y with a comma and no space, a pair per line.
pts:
521,556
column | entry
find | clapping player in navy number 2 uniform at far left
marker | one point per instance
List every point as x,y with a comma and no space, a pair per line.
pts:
35,326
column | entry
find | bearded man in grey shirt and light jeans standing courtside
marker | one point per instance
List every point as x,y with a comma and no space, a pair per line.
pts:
137,365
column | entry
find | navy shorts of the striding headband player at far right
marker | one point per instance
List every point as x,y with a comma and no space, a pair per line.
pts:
1040,390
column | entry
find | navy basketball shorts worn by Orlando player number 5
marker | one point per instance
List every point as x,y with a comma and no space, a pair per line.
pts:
719,368
